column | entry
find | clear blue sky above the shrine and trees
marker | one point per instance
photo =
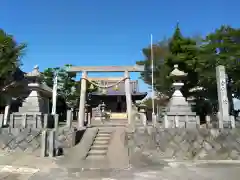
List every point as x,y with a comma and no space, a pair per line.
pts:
106,32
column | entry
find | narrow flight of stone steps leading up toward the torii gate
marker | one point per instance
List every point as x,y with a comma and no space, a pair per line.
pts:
99,147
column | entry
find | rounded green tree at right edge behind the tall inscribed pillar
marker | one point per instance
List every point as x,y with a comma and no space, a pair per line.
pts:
221,48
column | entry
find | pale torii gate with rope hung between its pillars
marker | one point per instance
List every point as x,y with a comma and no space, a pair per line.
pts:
84,79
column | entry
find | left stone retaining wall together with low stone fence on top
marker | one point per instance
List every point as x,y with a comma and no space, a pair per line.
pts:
37,134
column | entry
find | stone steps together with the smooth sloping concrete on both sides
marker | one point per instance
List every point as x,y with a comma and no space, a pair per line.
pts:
101,148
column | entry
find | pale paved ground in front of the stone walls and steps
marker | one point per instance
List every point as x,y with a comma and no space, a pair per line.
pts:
19,167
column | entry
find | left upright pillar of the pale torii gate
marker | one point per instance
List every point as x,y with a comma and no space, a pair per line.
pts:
81,114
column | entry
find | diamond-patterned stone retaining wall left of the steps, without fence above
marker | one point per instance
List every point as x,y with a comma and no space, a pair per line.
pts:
30,140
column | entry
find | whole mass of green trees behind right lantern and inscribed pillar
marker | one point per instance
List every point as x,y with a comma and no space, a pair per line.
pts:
199,59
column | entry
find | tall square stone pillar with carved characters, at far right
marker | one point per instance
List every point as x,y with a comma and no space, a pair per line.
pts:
222,96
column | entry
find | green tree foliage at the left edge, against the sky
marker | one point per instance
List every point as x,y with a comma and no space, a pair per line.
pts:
10,58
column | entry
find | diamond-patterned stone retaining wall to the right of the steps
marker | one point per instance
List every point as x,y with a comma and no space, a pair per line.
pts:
188,144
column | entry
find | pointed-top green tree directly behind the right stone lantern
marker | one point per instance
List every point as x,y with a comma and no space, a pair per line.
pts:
177,50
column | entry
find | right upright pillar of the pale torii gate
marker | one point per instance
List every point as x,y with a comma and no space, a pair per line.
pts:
128,96
